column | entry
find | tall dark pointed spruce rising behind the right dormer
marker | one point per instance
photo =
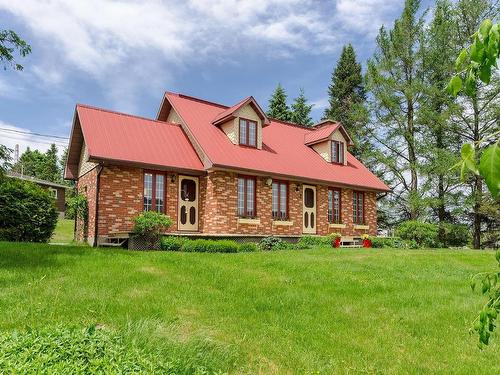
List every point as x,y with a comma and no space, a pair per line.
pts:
347,97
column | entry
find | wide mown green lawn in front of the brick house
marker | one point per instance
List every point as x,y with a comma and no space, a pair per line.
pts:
314,311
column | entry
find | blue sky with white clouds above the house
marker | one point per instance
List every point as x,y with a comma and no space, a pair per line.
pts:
123,55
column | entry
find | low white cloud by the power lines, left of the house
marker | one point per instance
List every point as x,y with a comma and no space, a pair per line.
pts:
10,136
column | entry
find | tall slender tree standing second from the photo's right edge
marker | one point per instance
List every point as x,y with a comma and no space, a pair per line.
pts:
439,142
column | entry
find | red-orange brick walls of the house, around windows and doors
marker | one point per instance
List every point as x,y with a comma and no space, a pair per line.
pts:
121,199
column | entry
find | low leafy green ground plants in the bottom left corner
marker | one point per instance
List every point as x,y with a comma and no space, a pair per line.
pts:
68,350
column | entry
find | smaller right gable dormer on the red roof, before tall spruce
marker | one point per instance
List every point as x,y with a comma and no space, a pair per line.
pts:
330,140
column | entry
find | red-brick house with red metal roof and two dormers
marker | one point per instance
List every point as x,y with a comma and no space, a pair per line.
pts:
218,171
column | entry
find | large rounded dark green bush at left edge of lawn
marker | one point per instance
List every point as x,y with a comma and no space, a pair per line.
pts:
27,212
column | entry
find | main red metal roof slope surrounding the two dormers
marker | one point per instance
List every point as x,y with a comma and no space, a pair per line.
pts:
283,153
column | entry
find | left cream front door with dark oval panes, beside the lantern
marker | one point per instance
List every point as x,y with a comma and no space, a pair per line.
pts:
188,203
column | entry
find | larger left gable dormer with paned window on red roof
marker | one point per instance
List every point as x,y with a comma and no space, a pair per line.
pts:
243,123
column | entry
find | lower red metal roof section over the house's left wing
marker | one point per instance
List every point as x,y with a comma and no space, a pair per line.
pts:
120,137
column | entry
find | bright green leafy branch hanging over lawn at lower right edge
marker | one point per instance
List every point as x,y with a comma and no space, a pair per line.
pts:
489,282
